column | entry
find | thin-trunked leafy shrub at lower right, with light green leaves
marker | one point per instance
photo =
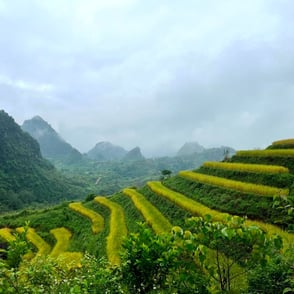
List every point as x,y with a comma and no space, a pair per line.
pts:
233,244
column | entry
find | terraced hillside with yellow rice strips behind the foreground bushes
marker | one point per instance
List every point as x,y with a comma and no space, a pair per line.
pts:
246,185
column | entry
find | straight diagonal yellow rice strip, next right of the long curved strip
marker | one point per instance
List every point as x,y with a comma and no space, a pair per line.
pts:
152,215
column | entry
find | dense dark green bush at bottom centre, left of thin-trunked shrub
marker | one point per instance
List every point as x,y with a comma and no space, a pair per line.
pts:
154,263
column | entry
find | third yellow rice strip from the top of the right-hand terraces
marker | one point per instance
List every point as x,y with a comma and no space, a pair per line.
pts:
254,168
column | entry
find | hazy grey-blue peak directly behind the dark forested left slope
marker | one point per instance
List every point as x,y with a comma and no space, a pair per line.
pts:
53,147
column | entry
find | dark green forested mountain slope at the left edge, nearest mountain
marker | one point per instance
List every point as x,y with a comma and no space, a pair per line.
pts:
25,176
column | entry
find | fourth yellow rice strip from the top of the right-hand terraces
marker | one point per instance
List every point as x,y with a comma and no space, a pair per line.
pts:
261,190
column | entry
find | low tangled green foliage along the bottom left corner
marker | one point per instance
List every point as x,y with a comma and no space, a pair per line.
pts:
45,275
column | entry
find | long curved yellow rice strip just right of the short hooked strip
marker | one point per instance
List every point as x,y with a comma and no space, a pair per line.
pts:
118,229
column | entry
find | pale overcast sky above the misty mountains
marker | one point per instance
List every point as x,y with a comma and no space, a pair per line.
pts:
151,73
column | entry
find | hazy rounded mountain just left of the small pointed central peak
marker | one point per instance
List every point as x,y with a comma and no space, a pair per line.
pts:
106,151
